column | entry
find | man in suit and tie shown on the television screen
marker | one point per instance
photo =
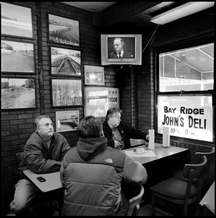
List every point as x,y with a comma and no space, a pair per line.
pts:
119,49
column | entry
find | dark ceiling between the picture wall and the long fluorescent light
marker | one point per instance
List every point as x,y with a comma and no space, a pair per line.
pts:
137,13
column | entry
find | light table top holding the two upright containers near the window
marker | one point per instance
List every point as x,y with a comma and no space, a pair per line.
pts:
152,155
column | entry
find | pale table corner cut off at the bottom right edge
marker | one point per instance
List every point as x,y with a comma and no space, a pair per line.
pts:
209,198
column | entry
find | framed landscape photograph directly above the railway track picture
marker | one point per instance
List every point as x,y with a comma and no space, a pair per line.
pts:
63,30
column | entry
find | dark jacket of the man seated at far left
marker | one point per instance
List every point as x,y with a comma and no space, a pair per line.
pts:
39,159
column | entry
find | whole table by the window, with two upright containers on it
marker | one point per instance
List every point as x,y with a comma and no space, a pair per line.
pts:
160,164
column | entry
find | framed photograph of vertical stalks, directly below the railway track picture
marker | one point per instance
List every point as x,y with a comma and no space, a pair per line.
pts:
66,92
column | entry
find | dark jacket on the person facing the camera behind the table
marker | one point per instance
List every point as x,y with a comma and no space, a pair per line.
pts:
126,133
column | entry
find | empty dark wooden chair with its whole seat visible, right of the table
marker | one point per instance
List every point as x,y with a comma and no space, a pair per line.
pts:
182,192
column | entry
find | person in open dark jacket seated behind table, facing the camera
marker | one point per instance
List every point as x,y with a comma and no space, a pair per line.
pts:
117,132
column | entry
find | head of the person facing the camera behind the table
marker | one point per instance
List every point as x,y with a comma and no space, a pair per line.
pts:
113,117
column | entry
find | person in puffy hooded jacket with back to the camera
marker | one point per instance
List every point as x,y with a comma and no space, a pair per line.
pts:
92,172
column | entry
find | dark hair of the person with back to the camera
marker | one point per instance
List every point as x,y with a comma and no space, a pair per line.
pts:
89,127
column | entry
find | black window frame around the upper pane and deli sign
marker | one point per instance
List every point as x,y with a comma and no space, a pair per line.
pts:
181,45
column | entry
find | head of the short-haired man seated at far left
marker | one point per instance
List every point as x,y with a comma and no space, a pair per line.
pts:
44,126
